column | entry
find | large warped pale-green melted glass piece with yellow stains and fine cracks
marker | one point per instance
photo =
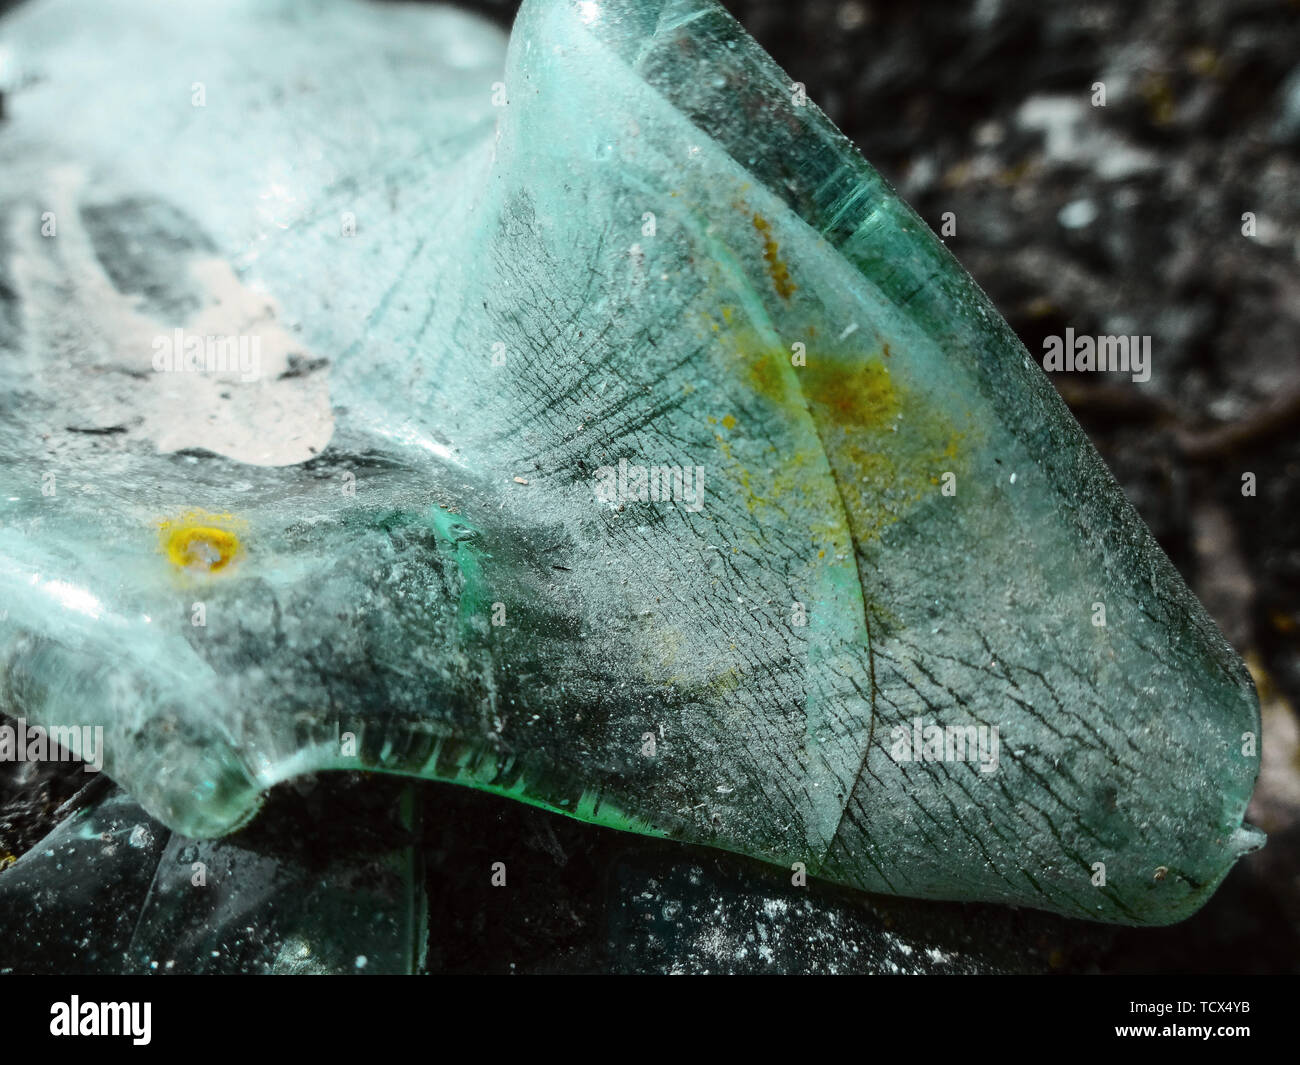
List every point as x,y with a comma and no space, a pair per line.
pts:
404,527
